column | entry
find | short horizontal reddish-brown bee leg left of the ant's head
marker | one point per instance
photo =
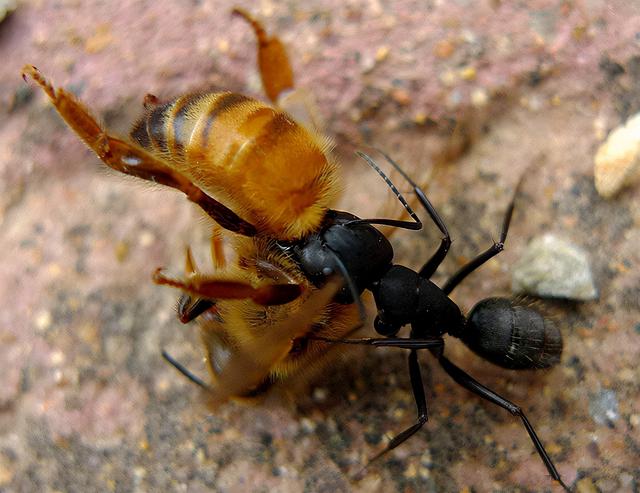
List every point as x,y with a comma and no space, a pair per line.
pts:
270,294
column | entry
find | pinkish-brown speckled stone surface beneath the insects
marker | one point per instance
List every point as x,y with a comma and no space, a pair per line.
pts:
86,402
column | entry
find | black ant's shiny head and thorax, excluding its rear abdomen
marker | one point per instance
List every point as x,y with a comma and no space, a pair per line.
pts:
402,295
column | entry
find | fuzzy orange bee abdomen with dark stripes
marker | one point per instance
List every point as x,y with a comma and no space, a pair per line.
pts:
255,158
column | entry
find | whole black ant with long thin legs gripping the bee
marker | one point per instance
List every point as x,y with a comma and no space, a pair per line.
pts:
503,331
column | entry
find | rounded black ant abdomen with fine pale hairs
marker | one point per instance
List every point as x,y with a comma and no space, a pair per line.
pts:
512,335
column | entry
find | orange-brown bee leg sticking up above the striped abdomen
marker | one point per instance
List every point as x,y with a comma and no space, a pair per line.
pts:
273,61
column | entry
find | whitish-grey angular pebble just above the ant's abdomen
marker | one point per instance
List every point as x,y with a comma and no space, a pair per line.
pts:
554,268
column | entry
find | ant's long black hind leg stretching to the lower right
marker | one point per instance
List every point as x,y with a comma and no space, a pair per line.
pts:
477,388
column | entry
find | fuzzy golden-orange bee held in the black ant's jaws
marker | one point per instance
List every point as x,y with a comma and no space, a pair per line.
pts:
259,175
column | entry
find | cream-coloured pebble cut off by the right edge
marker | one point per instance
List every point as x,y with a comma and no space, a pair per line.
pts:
617,161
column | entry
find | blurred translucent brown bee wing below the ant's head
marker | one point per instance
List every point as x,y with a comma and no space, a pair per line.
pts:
249,365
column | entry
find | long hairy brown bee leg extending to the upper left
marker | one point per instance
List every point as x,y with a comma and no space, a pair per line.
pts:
131,159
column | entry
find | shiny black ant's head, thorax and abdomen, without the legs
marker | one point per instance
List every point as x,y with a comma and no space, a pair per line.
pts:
509,334
